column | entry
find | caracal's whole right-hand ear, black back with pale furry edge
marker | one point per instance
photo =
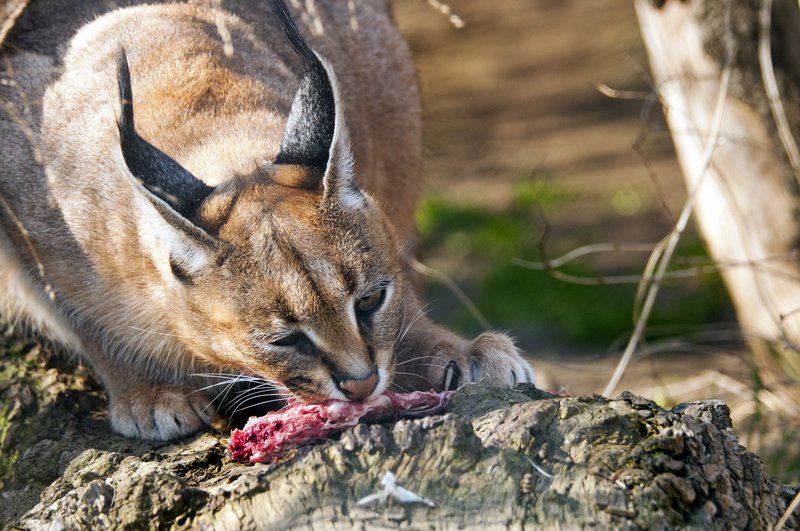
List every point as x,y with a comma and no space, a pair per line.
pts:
316,136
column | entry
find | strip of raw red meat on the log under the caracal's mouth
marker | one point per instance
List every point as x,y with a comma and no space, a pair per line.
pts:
266,439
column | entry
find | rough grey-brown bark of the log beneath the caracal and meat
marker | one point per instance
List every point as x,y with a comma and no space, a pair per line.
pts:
487,463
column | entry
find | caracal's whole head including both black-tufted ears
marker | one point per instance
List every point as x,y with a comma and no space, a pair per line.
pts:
292,274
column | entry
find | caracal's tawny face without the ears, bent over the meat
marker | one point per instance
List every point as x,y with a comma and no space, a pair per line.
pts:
308,297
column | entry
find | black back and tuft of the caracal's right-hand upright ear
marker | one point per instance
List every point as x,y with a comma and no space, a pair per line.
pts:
310,125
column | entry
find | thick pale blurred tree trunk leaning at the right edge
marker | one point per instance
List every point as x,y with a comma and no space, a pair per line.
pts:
747,204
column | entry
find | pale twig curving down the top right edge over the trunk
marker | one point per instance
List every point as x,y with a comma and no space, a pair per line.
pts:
771,88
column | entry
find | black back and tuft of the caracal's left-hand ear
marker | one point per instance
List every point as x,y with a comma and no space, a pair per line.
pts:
157,172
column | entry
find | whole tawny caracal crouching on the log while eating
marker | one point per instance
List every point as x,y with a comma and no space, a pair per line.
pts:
187,191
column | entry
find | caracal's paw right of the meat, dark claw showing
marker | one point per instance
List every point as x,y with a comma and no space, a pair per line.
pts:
490,358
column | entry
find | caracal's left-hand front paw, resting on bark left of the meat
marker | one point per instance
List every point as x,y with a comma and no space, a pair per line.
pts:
159,412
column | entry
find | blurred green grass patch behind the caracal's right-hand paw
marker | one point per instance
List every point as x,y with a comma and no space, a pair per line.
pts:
514,297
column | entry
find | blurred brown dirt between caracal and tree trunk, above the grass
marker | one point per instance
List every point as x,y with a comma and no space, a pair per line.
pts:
515,90
